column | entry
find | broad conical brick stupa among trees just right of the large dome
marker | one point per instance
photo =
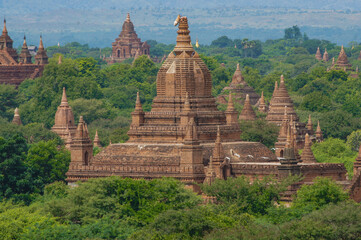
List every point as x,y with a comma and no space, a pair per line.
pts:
239,88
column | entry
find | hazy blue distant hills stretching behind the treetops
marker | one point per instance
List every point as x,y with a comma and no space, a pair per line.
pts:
99,22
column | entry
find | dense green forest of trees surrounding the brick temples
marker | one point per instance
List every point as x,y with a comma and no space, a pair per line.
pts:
36,203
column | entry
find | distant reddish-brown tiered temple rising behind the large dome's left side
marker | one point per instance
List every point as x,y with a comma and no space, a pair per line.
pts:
127,44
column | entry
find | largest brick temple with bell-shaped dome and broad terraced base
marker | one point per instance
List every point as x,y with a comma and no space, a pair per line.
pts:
177,137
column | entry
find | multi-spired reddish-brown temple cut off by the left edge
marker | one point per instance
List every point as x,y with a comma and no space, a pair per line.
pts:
14,68
